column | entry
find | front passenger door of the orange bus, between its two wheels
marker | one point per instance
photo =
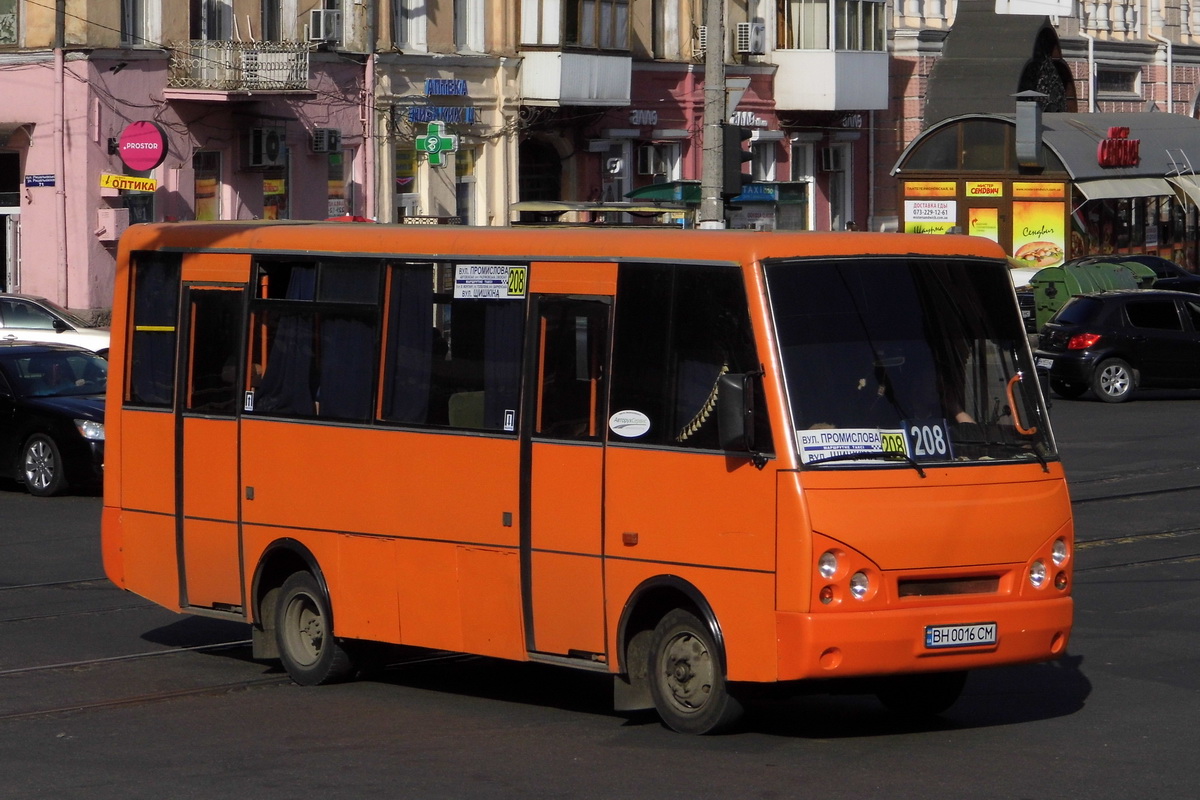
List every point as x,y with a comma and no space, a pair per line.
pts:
563,476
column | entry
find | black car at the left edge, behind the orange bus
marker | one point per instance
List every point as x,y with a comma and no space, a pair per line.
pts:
52,417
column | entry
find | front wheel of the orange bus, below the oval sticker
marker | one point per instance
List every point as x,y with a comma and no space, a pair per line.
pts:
687,678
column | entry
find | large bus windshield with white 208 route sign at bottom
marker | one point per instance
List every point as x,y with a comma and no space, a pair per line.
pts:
902,362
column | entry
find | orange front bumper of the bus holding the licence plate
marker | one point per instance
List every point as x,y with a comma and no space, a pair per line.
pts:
915,640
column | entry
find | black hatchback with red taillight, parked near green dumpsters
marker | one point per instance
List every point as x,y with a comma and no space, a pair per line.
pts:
1115,342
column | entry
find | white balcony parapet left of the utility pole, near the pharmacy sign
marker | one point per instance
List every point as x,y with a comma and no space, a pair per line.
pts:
566,79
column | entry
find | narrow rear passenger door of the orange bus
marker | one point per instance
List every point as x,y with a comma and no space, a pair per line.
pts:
207,448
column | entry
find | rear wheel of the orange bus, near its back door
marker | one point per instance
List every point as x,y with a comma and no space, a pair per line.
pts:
304,634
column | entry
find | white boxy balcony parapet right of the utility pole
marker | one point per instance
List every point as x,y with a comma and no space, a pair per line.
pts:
831,81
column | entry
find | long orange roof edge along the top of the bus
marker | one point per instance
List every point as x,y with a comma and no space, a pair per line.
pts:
543,244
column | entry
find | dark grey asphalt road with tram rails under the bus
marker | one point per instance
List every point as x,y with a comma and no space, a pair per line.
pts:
106,696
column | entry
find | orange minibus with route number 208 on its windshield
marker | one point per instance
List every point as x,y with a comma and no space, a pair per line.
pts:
697,461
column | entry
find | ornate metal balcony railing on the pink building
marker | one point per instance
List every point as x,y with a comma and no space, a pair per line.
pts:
239,67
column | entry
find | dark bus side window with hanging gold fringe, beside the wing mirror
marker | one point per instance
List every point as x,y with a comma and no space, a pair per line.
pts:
679,329
